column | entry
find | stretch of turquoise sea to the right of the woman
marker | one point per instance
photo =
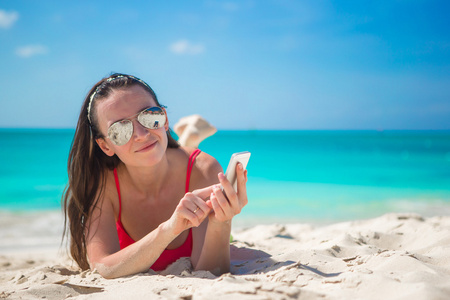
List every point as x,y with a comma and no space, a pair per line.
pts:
328,176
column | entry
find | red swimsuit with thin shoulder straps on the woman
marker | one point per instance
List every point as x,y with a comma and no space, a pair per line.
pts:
168,256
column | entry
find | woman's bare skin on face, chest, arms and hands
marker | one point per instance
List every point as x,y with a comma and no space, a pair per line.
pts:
156,212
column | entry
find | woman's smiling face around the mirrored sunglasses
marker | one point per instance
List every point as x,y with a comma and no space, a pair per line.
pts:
146,146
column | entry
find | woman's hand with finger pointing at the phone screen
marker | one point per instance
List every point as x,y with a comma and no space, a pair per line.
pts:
191,211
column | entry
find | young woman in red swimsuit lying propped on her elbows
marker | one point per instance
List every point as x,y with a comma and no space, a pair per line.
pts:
136,199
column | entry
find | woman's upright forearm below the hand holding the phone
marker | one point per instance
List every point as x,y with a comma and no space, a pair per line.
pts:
215,254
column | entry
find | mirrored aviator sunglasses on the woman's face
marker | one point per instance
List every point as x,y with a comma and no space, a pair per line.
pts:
121,131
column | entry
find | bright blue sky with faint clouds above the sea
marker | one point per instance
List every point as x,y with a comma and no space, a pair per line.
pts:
242,65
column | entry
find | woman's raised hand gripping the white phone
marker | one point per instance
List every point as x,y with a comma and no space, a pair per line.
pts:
226,207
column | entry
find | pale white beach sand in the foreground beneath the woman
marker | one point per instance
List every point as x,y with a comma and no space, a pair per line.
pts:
396,256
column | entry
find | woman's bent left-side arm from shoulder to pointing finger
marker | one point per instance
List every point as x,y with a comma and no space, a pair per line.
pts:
103,247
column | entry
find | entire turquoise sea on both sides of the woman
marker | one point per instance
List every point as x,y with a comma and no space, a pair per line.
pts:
293,176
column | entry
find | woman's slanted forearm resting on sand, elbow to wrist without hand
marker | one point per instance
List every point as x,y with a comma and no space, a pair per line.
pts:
138,257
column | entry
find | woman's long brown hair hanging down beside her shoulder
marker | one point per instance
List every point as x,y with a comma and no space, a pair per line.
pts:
87,164
